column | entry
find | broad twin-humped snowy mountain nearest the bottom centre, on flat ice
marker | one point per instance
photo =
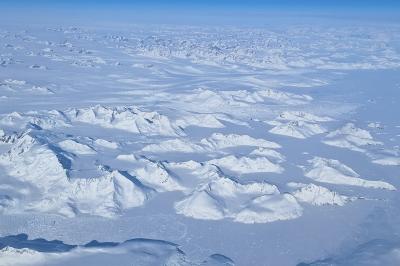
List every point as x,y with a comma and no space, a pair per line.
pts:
245,203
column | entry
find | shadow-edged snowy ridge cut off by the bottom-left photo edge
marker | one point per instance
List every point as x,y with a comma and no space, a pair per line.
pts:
139,251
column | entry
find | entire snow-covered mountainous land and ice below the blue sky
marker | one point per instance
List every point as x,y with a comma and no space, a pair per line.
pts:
167,144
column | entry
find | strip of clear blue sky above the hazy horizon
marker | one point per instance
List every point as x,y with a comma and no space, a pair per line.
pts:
218,11
